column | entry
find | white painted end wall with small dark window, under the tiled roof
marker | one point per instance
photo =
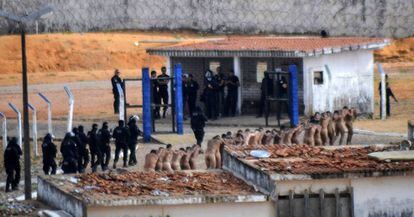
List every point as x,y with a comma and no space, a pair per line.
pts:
351,84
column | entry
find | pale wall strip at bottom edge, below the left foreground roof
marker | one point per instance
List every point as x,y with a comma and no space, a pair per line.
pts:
248,209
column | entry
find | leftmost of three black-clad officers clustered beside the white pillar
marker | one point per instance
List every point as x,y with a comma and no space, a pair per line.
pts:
209,96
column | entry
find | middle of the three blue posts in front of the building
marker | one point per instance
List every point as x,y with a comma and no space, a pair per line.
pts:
179,98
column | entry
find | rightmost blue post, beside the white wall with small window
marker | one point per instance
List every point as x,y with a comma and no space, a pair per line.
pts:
294,99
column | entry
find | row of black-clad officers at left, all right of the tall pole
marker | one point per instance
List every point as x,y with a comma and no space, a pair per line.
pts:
76,155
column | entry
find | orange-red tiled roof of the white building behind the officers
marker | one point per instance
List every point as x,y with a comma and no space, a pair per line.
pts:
271,47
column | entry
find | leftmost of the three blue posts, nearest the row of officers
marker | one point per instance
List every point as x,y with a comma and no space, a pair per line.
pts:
146,105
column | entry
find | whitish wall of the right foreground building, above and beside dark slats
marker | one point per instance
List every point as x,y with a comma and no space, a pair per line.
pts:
390,196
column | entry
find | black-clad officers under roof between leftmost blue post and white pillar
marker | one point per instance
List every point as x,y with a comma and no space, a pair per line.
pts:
216,103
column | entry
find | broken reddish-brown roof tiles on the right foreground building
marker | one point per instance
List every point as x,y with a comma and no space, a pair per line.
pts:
303,159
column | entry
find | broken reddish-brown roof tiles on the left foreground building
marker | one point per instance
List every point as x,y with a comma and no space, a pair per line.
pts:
163,184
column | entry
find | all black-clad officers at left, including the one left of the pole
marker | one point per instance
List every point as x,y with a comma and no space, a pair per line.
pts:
78,149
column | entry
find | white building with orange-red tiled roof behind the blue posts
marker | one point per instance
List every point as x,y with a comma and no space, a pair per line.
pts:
333,72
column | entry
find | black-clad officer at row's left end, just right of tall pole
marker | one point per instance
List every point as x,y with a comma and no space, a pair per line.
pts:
49,151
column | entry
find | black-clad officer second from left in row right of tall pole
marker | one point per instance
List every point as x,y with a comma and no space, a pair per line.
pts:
69,154
